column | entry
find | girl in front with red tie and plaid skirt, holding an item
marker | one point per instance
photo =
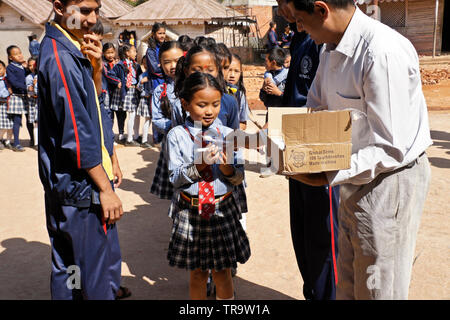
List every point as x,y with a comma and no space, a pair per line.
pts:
206,233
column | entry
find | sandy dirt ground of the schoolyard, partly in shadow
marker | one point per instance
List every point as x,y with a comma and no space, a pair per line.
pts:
271,272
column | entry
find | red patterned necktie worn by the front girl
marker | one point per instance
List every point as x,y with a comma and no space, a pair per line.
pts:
206,199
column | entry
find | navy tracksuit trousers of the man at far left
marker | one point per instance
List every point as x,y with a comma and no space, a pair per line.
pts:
78,239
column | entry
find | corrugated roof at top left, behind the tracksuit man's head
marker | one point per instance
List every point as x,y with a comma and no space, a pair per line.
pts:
38,11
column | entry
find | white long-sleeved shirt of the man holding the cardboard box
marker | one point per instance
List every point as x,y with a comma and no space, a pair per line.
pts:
374,69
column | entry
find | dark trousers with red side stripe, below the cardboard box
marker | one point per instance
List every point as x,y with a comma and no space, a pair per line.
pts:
311,231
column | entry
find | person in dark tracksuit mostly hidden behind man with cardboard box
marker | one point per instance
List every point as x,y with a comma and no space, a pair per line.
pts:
314,226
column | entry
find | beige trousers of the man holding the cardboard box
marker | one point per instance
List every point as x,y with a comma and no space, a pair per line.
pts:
378,225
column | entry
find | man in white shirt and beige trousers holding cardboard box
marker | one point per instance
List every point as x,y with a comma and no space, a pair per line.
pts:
368,67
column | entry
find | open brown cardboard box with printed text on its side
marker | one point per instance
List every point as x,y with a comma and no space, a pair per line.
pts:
310,142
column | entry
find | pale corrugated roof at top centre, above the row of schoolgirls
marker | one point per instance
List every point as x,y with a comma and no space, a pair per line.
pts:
174,11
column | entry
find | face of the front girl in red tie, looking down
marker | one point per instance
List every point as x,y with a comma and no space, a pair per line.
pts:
204,106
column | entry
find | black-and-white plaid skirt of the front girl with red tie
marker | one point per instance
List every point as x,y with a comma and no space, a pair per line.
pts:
218,243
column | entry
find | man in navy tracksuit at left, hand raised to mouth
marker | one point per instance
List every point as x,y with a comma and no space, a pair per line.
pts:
77,162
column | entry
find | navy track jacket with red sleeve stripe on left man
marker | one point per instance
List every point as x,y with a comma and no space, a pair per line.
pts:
69,128
